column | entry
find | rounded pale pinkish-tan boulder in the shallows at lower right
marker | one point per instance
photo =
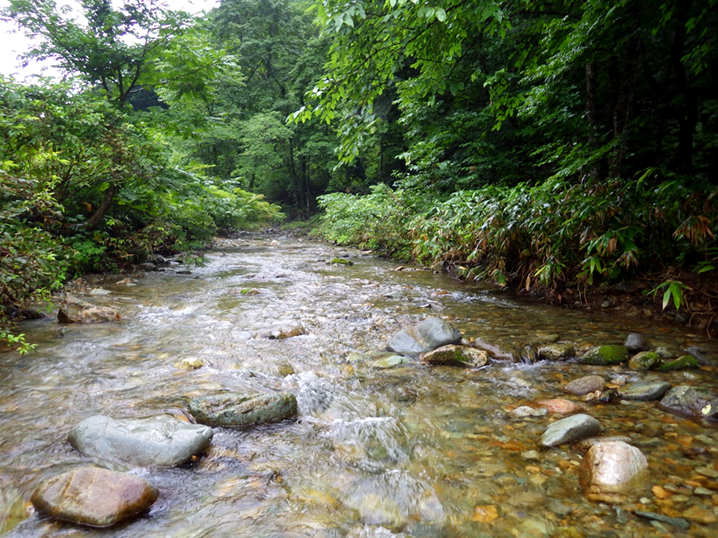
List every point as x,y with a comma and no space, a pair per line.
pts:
611,470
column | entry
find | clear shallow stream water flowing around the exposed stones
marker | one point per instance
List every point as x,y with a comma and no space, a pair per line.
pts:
410,451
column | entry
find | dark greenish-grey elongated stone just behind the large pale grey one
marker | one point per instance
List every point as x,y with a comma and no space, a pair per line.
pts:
238,409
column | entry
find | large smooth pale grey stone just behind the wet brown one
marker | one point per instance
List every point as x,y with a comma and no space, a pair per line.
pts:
162,440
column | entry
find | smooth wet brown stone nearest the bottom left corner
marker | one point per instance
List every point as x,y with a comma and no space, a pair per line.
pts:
93,496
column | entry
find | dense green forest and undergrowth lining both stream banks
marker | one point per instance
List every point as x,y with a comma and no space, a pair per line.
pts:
553,146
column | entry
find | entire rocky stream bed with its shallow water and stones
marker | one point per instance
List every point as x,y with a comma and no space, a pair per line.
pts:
344,419
